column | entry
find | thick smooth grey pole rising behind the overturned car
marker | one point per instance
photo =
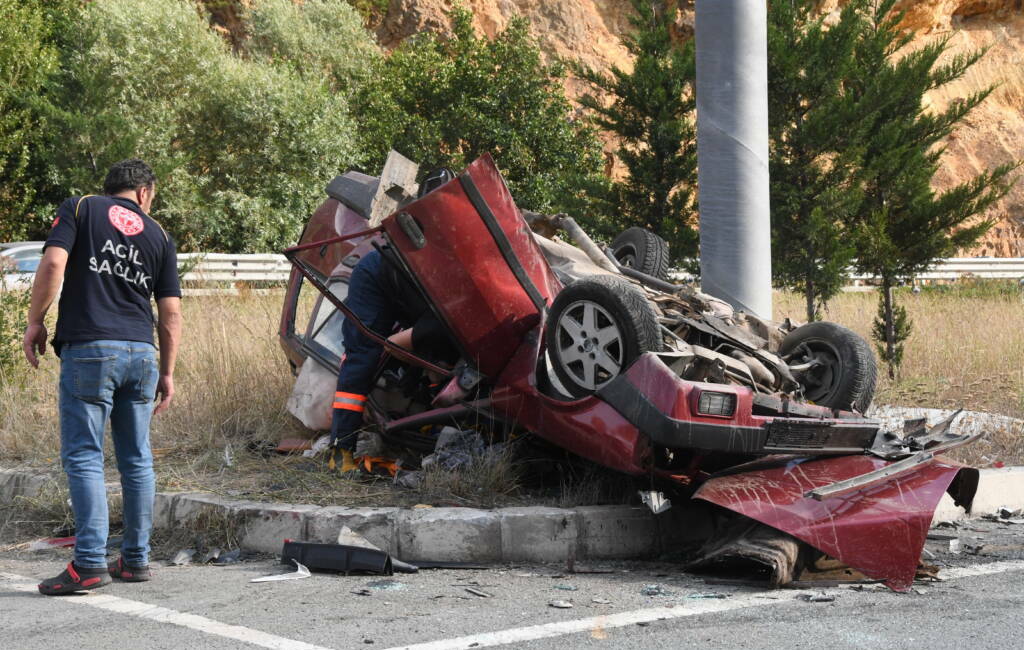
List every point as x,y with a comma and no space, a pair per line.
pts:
733,153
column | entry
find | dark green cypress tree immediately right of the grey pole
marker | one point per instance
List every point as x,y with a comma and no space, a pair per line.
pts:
813,189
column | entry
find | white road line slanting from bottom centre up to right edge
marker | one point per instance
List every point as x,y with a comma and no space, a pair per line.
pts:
598,625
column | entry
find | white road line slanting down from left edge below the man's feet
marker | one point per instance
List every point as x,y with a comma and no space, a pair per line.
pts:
165,616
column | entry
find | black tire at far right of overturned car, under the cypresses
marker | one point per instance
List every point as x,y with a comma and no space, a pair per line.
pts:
848,373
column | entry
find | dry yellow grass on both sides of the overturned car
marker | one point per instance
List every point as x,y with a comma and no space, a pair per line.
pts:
233,381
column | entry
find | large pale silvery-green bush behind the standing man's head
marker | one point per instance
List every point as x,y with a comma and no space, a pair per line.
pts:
242,146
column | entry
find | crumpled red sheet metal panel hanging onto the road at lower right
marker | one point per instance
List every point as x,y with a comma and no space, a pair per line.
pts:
879,530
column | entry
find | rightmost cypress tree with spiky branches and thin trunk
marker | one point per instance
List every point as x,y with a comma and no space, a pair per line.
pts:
903,226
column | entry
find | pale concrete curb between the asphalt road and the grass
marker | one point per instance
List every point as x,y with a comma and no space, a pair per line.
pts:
467,535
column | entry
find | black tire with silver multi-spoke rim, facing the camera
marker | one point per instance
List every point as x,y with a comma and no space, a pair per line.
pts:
624,326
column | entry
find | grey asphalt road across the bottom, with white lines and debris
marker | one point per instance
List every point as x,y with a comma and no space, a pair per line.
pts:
980,604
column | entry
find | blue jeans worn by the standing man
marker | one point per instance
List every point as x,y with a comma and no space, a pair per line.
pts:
116,381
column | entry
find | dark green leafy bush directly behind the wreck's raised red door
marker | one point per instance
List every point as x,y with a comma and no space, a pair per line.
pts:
446,102
